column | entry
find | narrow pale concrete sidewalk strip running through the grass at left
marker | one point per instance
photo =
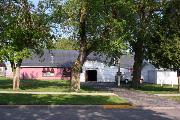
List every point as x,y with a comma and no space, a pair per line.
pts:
58,93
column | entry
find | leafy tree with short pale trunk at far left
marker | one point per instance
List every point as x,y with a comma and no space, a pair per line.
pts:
28,31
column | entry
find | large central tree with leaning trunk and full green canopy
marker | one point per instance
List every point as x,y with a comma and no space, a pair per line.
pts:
89,22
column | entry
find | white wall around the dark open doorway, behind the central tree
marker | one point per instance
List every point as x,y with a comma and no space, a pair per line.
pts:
104,73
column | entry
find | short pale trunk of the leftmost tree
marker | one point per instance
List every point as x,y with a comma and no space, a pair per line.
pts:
16,77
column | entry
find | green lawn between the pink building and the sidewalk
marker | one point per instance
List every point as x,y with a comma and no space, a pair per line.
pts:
41,86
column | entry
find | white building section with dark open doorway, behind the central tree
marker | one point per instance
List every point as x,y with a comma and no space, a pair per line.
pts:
100,72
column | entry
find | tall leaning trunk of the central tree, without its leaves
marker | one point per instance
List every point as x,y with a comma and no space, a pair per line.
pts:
77,67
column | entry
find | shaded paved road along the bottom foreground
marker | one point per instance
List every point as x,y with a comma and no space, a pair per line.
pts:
86,113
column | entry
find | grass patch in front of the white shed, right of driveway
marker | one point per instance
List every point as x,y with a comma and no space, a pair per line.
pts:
158,89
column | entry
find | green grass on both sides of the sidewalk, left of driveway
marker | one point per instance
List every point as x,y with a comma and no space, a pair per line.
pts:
52,86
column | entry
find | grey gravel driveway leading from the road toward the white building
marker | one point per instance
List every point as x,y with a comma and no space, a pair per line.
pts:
137,98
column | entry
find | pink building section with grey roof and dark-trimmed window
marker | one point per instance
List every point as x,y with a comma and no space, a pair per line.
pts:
52,65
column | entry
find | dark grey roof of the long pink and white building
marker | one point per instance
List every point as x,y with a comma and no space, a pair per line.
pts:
65,58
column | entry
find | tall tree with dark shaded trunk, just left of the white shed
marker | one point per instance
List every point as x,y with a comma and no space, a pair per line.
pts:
139,16
